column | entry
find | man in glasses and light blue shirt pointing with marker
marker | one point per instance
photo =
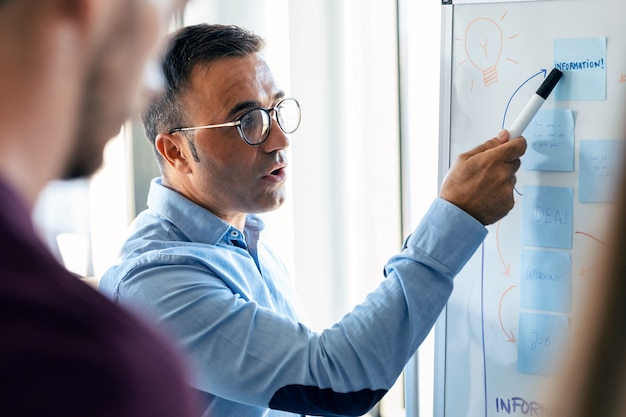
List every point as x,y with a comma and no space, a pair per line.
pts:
195,262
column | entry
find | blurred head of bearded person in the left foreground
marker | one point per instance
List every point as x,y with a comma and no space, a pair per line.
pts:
71,75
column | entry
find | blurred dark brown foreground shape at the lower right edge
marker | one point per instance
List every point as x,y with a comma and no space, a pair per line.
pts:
593,382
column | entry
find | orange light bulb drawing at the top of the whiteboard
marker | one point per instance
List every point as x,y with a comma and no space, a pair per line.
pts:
483,45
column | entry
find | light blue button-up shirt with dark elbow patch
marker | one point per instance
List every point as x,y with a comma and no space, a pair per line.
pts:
227,299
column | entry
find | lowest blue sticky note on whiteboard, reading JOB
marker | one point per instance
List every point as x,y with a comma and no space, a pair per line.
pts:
542,341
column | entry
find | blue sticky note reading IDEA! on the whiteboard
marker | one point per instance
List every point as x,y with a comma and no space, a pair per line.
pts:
547,214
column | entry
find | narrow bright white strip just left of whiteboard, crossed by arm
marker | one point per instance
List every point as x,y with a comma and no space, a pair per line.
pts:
420,29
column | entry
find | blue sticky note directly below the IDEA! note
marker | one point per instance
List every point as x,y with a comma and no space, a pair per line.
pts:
545,280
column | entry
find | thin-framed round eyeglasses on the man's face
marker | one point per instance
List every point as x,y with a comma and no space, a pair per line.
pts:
254,125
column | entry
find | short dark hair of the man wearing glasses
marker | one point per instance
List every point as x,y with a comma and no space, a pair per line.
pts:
190,46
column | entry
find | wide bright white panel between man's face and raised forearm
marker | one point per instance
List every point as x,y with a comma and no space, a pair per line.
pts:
346,157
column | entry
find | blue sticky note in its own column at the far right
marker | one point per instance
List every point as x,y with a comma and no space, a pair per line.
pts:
599,169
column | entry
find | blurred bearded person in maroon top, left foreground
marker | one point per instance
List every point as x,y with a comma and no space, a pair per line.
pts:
70,71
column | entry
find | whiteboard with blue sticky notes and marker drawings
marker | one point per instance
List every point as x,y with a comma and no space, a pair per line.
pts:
498,330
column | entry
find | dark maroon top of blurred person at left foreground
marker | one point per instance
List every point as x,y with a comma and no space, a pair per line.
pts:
65,350
